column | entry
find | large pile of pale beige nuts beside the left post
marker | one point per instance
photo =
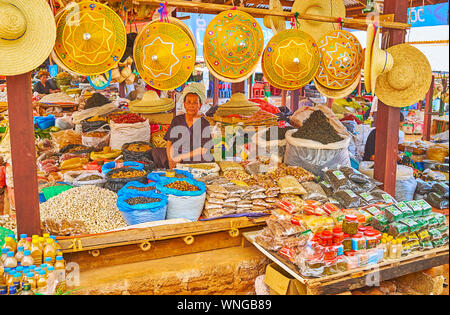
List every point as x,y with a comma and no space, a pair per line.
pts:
94,206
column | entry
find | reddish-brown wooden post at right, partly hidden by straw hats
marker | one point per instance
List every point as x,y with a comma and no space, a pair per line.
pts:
388,118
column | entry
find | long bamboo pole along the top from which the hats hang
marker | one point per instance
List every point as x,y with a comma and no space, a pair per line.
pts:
217,8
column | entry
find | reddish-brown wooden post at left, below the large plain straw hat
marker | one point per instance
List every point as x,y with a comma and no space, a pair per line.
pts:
23,154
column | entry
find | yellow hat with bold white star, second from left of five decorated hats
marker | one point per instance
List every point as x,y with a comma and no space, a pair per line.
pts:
164,54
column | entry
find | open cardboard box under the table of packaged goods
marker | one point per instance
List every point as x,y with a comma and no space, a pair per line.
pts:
282,283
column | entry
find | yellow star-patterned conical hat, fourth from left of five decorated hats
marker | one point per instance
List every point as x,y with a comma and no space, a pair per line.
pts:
291,59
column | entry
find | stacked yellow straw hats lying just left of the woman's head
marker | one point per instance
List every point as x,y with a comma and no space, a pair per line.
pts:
152,104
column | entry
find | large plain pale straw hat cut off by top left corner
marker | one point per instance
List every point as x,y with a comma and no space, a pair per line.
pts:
27,35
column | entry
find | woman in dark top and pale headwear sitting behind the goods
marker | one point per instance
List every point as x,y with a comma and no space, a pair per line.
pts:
189,135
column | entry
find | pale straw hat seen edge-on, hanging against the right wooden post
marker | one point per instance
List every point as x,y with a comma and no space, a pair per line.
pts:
381,61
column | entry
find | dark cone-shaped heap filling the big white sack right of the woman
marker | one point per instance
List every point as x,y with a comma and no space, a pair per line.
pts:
317,128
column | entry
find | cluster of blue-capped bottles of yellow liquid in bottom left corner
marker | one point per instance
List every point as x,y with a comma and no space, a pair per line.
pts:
26,266
